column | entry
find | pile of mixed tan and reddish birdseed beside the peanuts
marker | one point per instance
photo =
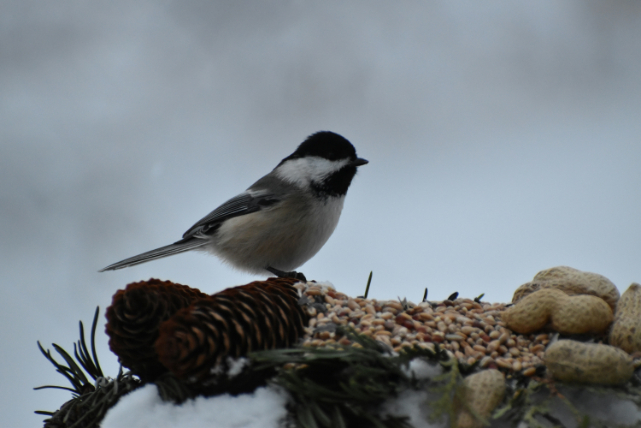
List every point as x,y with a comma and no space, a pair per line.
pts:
470,331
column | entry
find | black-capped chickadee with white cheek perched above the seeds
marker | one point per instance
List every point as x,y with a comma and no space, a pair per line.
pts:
282,220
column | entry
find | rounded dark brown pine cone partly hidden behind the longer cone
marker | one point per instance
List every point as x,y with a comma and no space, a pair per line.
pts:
134,317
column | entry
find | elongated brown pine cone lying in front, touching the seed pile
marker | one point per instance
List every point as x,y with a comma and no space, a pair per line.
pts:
257,316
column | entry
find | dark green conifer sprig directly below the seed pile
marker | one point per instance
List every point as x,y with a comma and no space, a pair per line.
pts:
344,386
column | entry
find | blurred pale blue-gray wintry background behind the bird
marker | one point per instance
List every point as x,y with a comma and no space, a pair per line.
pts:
503,138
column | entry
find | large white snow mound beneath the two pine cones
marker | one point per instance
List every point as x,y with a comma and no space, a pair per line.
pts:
143,408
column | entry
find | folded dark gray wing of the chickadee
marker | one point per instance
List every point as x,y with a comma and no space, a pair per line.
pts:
245,203
